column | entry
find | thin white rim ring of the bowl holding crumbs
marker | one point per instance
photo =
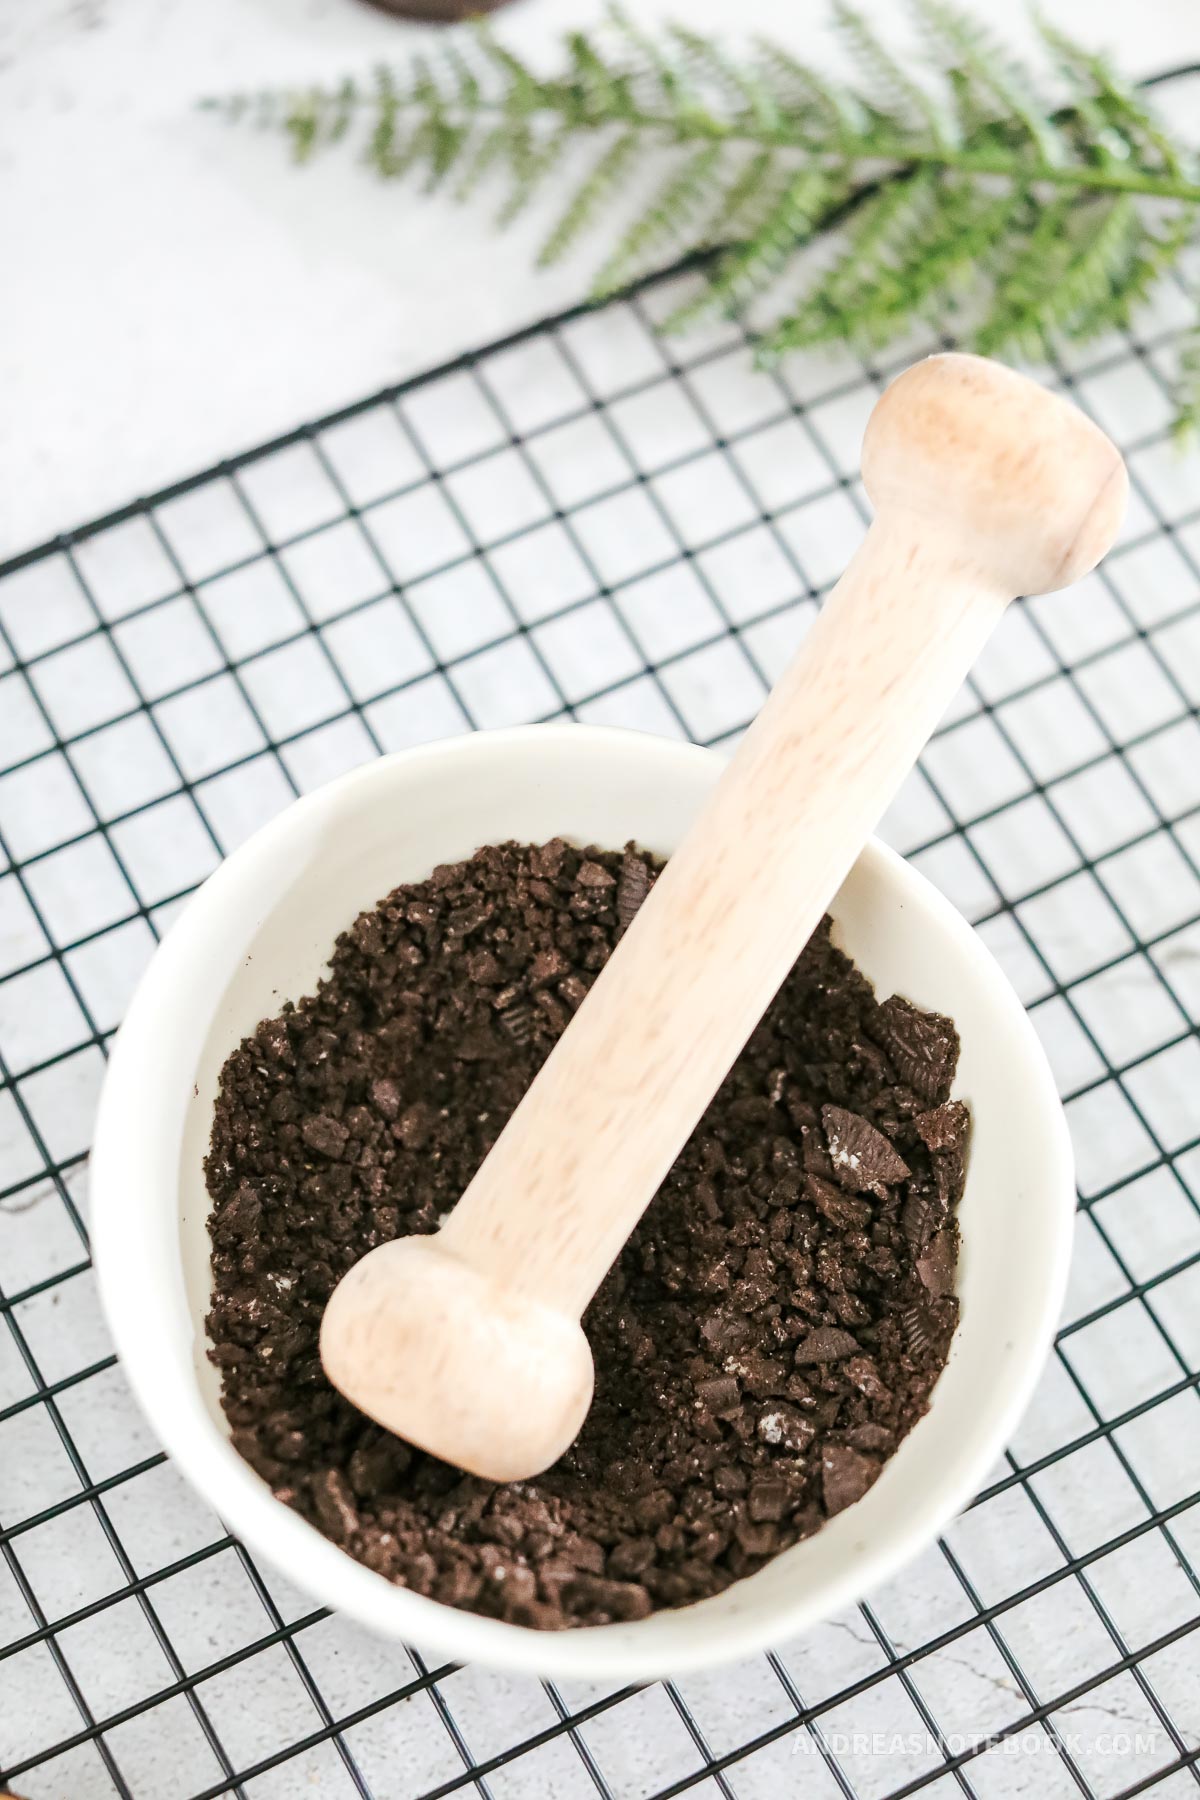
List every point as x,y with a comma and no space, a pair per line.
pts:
127,1263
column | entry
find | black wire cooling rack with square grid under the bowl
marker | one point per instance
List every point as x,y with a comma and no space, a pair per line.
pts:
587,521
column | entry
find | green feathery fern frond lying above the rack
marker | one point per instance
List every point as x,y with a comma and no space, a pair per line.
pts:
958,193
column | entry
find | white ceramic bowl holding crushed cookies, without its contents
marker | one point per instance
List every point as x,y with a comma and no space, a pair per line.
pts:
260,933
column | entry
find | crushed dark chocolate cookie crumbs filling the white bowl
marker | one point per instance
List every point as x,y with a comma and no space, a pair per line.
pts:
769,1335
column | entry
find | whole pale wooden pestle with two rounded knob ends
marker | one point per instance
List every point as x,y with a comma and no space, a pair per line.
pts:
469,1342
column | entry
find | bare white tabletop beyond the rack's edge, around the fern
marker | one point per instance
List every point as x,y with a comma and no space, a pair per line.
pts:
174,292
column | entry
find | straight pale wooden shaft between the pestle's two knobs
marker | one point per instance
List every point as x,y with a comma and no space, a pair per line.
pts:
625,1086
